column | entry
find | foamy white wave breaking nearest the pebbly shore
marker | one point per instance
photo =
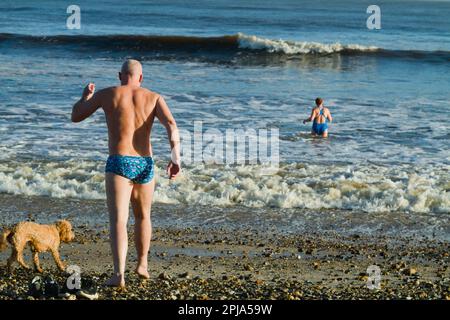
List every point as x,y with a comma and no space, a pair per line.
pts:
370,188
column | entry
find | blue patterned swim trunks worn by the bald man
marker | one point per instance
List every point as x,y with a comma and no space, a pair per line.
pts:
137,169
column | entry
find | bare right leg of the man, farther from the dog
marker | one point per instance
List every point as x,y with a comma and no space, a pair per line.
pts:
141,200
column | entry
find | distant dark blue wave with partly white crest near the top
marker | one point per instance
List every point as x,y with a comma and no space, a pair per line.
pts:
229,48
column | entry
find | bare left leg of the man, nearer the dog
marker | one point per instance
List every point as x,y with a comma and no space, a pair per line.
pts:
118,192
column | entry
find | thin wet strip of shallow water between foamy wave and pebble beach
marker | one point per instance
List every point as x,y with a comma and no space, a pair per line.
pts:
92,213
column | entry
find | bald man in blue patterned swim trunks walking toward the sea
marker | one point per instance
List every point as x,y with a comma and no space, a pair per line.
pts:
130,111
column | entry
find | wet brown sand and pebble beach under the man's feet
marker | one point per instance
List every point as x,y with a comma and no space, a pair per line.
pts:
221,263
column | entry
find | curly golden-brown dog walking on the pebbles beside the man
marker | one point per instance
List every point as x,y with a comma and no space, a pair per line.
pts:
42,238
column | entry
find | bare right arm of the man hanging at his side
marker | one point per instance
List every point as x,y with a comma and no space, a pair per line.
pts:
165,117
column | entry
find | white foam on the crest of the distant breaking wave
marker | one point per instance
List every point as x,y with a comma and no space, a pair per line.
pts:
296,47
